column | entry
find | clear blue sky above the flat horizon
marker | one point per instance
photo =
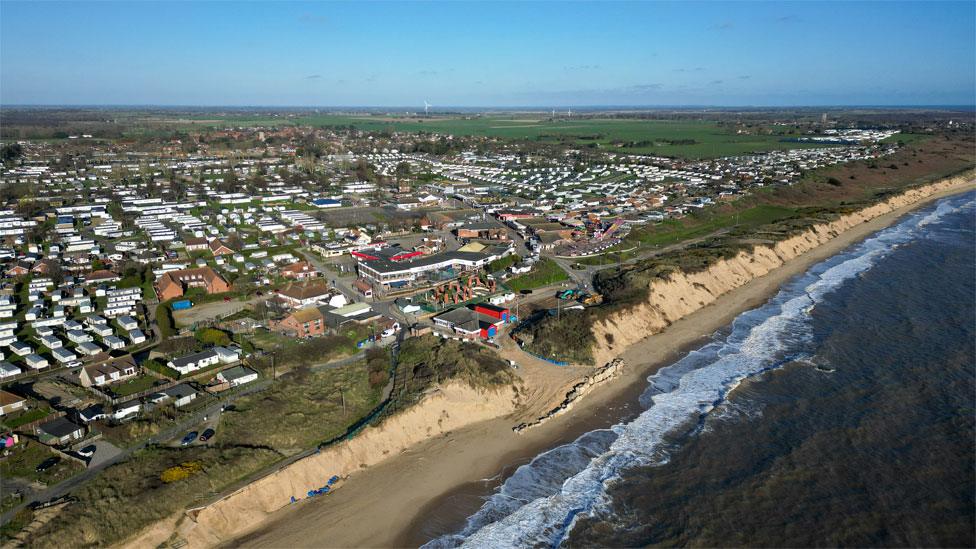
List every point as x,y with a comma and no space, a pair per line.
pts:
488,54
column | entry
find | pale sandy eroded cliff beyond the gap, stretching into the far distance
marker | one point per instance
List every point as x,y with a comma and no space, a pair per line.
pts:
681,294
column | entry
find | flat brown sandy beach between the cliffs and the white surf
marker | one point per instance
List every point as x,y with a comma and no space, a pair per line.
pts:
439,478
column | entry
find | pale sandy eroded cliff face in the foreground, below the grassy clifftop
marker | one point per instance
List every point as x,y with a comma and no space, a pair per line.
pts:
448,408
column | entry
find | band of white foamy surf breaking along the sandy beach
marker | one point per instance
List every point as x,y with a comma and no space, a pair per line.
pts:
541,501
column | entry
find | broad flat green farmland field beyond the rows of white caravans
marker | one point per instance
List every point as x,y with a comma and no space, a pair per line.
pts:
684,138
